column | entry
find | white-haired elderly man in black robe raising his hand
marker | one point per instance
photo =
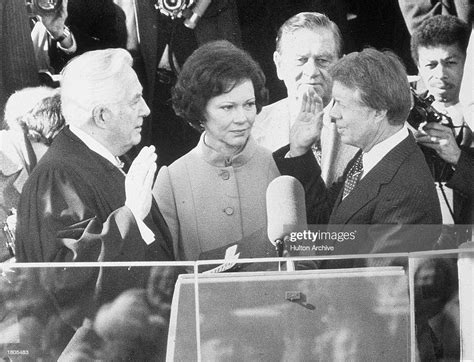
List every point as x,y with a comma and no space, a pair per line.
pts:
78,204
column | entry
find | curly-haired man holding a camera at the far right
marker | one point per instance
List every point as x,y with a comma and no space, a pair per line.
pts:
439,47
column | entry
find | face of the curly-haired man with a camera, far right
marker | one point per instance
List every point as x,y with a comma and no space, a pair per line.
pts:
441,69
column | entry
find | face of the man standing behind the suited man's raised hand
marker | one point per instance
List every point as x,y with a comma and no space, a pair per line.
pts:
304,61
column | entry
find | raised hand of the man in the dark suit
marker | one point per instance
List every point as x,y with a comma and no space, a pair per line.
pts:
306,129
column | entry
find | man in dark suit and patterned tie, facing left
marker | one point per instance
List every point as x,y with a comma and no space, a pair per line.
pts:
388,181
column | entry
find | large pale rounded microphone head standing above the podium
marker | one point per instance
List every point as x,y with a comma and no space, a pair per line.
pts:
286,208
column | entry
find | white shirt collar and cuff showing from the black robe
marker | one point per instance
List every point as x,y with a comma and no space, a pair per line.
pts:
97,147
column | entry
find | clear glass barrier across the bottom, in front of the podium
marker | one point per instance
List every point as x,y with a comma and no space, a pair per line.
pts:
395,307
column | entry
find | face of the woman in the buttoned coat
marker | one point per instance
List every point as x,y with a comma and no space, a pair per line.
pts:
229,118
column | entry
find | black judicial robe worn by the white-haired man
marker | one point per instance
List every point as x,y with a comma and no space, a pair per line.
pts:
72,210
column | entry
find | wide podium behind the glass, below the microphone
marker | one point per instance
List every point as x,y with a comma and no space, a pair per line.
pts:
317,315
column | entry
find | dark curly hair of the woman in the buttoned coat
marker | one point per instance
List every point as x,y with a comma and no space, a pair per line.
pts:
213,69
